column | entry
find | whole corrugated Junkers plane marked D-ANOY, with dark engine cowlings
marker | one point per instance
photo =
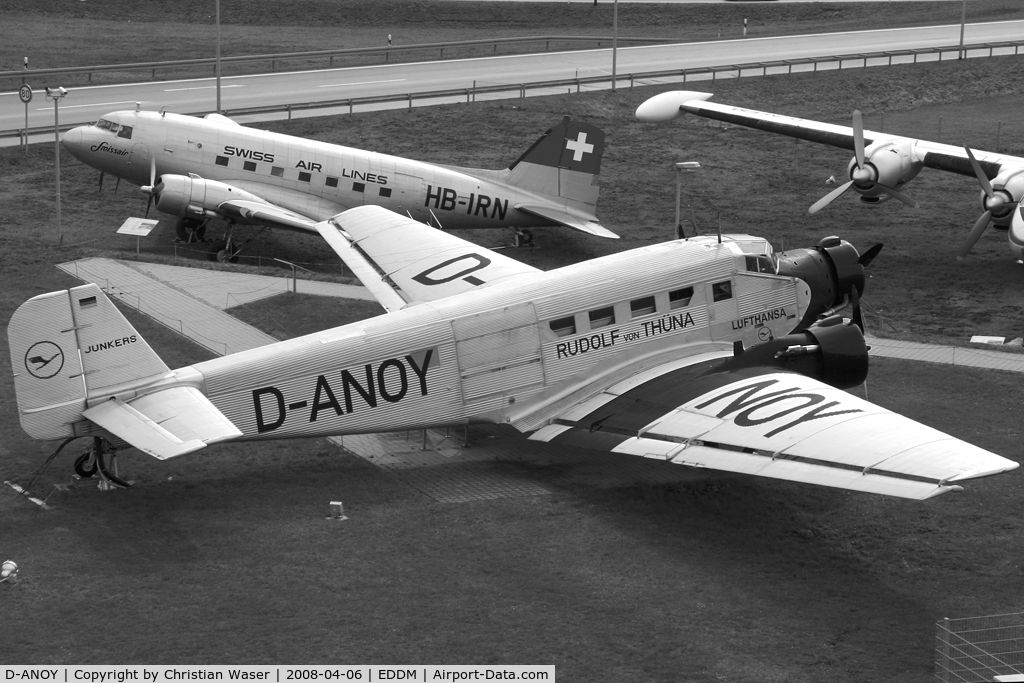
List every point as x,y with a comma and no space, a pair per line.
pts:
708,353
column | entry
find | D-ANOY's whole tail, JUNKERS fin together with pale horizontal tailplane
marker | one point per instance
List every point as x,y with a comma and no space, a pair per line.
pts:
81,369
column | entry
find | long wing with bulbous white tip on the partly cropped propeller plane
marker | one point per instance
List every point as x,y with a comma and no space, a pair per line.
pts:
932,155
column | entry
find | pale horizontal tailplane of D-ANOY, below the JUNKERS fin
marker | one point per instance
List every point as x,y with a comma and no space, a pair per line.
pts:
165,424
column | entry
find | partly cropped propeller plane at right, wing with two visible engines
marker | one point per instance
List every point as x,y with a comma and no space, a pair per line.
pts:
882,163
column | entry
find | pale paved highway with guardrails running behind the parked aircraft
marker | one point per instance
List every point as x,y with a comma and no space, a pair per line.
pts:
89,104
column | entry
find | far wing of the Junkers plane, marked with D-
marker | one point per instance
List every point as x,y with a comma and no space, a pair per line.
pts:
403,262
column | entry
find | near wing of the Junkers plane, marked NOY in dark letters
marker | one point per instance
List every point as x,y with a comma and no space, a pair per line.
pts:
767,423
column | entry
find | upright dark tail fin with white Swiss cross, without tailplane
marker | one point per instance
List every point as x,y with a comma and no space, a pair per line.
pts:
568,159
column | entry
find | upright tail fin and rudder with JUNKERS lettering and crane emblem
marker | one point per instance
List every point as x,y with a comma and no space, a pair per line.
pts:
67,348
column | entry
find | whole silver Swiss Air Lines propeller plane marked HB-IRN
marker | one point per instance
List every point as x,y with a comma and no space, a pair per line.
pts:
198,169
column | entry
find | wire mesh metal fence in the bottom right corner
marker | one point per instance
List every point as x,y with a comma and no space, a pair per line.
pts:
979,649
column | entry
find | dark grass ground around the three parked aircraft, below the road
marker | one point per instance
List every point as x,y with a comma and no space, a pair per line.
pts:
226,557
